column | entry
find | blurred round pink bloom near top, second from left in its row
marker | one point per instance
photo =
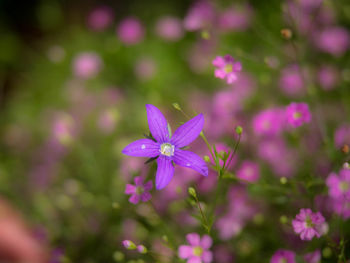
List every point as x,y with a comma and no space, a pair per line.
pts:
130,31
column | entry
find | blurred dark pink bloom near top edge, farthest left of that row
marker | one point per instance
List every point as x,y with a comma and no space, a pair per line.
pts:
100,18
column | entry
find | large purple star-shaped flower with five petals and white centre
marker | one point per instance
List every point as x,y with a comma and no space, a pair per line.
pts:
167,149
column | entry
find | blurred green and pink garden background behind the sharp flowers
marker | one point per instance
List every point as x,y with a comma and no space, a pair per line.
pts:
74,80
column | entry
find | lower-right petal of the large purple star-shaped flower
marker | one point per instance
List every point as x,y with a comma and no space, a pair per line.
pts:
190,160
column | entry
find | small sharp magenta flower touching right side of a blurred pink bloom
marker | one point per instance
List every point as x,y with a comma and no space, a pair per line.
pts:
297,114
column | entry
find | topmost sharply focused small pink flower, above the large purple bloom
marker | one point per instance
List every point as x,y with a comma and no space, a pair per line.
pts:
227,68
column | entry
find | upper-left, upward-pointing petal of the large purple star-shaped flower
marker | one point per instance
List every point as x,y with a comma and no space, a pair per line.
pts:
157,123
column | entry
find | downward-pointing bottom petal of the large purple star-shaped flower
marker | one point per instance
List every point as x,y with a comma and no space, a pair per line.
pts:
165,172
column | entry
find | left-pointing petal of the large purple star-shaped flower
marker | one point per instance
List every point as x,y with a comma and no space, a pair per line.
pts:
142,148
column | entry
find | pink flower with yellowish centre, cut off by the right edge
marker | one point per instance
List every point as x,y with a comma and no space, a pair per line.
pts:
339,186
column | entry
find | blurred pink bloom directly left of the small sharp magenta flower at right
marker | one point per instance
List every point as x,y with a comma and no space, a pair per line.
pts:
269,122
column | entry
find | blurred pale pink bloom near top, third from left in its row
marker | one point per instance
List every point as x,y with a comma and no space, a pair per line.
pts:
169,28
